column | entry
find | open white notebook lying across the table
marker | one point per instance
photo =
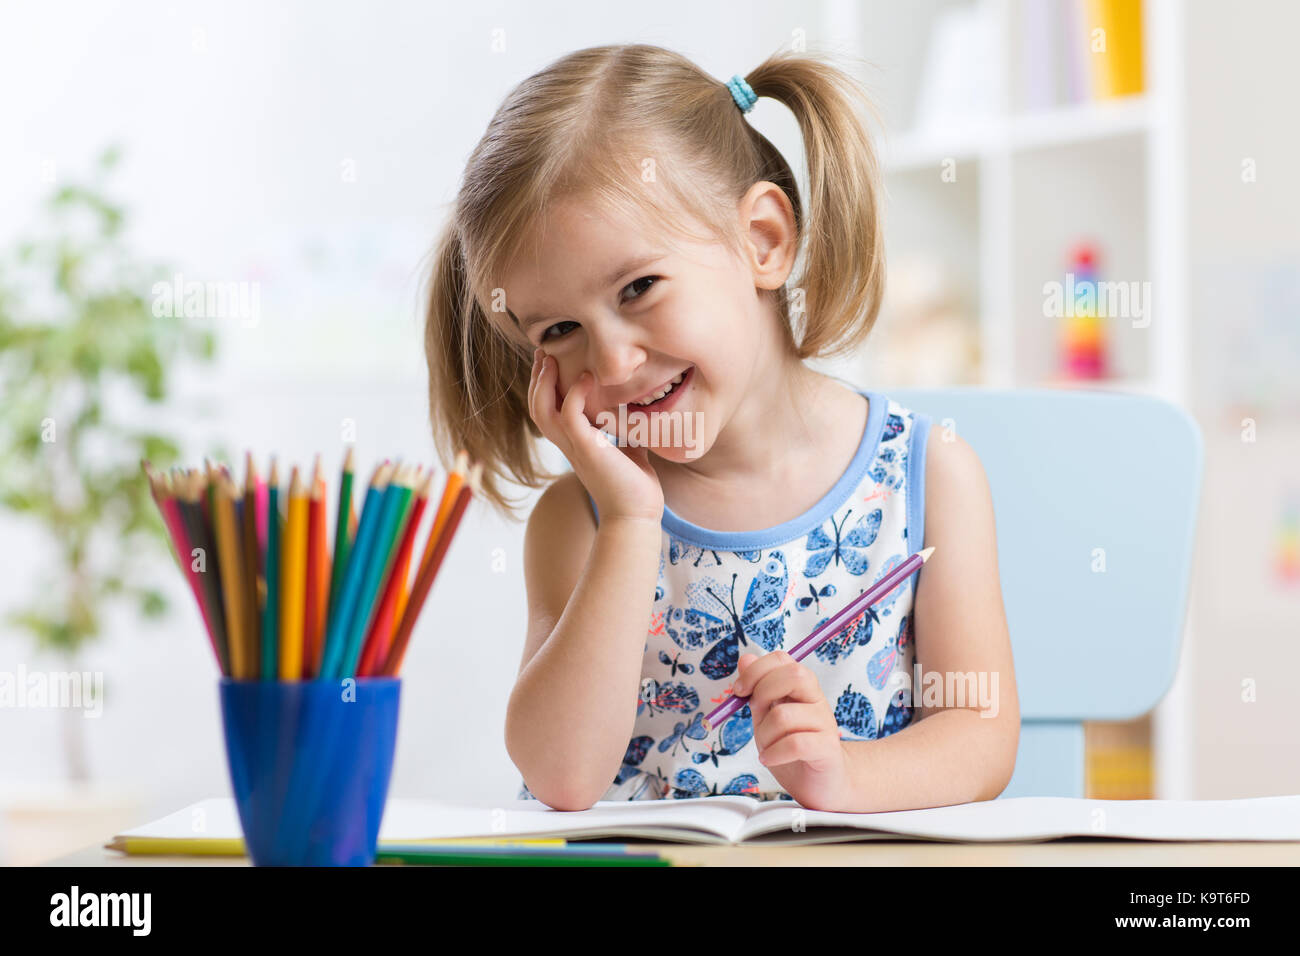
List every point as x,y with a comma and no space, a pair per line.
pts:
213,827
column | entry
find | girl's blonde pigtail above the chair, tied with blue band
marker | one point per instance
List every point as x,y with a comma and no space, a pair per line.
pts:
844,259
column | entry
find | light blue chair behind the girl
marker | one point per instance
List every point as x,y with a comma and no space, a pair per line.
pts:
1078,477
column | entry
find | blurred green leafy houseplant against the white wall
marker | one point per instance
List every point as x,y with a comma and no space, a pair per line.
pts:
80,345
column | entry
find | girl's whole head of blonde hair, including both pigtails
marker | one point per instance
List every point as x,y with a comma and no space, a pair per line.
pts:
584,128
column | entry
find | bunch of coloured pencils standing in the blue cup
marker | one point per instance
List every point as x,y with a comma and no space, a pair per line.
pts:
279,602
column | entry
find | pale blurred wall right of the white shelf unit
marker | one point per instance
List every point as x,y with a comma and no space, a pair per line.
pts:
1245,256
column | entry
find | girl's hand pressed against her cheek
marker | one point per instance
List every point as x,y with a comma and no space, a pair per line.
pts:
619,479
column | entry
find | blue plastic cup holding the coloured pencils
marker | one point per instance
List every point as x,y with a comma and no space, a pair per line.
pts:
310,765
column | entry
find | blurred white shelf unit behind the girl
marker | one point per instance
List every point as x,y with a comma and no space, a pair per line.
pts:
1026,185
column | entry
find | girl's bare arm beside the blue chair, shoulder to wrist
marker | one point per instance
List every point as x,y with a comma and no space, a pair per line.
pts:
959,751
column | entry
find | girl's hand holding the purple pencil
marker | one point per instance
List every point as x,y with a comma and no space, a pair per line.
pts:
795,730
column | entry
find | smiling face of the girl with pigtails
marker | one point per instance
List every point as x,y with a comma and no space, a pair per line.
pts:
638,314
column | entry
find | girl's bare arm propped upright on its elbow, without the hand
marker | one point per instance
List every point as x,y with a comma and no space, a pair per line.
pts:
591,594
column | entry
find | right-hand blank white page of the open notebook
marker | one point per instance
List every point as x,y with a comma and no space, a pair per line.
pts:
1045,819
